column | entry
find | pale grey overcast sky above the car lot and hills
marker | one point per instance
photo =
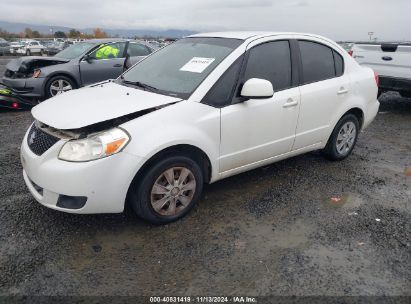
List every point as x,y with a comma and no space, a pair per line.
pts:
337,19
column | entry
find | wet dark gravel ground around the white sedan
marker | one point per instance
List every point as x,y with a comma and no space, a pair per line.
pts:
271,231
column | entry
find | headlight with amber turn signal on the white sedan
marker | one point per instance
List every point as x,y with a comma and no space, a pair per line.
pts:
95,146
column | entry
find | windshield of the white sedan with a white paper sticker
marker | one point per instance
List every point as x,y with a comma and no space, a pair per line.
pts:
179,68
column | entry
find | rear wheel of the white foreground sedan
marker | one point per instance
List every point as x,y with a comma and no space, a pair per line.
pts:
343,138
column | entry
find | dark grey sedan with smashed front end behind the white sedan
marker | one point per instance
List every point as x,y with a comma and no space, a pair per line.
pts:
38,78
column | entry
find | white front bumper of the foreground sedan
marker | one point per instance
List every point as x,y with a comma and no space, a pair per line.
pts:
98,186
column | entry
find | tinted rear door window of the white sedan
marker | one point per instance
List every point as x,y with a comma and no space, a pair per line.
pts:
317,61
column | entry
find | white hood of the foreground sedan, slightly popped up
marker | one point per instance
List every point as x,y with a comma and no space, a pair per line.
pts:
91,105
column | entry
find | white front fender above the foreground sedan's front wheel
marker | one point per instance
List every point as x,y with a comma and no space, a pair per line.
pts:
184,123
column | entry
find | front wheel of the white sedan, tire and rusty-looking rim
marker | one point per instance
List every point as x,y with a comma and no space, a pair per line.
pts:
168,190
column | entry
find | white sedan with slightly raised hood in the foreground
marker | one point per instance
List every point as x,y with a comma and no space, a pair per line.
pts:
204,108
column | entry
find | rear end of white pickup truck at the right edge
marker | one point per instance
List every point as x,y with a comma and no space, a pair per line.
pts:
391,61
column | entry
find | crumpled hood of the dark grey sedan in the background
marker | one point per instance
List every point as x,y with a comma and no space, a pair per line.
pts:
30,63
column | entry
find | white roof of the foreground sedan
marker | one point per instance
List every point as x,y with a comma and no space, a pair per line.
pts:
249,35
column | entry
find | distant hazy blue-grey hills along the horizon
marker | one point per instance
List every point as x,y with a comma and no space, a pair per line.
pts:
15,27
